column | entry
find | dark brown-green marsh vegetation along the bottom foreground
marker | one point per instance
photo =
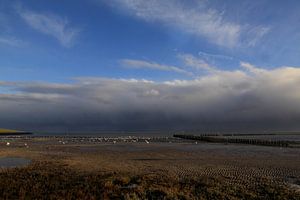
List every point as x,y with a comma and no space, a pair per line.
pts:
50,180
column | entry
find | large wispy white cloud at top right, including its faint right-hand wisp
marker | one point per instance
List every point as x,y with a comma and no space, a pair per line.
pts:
197,18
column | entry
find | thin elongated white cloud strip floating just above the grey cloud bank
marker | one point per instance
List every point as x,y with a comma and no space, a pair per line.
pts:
139,64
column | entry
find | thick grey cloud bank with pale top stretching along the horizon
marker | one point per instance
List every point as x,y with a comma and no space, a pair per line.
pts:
246,99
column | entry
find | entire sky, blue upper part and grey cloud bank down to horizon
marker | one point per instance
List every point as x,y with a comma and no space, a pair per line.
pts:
150,65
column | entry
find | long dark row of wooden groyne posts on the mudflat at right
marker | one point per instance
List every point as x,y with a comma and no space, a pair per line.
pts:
218,139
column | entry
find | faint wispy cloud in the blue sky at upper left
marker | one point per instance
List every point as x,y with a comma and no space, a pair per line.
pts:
50,24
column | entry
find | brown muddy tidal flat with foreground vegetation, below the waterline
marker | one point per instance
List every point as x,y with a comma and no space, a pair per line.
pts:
69,167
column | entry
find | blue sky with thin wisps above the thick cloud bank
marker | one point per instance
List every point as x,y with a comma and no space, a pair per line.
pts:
97,35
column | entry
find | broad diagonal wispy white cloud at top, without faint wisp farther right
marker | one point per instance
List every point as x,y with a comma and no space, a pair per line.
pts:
198,20
